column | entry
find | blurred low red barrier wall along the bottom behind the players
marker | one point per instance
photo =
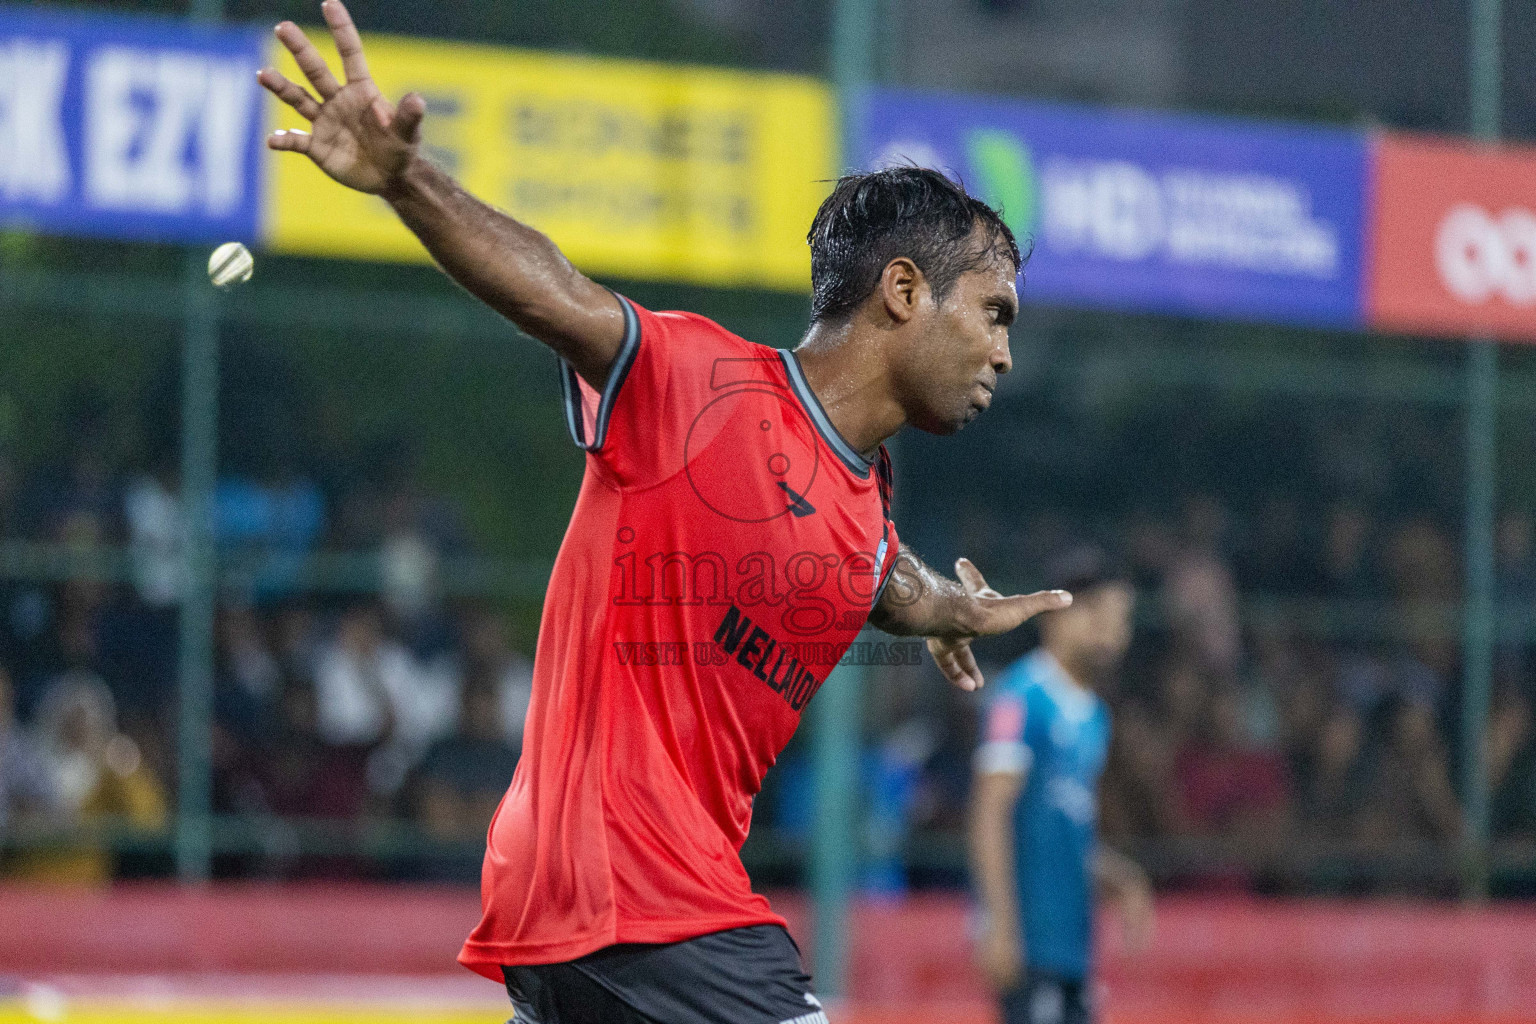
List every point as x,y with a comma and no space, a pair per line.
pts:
1214,960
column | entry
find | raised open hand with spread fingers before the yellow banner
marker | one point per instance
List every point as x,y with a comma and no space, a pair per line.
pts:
357,136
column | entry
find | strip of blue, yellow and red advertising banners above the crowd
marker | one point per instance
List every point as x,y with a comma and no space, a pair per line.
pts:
153,130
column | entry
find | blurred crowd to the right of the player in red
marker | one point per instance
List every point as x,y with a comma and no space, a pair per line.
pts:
1259,755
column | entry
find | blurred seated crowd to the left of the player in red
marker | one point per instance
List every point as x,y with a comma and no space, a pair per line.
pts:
392,705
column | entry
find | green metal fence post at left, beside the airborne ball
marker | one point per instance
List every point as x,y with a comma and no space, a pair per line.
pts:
199,478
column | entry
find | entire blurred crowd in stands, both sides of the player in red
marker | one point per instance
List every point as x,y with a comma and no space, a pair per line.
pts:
1253,750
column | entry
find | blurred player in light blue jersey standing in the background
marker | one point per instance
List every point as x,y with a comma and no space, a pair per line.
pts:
1034,842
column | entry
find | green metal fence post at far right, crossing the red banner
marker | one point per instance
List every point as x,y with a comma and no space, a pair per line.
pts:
1483,385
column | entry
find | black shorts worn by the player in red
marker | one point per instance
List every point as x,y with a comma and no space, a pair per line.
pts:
747,976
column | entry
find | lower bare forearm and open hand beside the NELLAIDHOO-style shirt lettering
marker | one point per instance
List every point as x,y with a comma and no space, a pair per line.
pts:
921,603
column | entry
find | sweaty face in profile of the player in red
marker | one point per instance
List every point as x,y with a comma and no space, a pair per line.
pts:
961,349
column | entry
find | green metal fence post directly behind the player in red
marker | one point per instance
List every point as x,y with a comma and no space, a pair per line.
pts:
836,710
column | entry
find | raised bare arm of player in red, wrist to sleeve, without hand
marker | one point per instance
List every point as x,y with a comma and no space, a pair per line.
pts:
512,268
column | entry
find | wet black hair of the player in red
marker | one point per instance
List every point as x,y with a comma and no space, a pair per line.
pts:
873,219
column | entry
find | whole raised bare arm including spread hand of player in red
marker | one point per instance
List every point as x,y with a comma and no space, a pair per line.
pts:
368,144
